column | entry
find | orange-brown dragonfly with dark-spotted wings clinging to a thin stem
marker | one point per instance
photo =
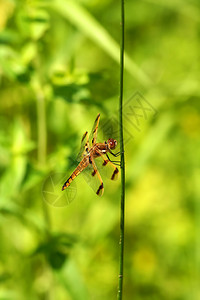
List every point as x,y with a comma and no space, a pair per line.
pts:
89,153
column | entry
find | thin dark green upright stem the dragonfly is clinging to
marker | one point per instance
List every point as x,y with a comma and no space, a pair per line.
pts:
121,241
